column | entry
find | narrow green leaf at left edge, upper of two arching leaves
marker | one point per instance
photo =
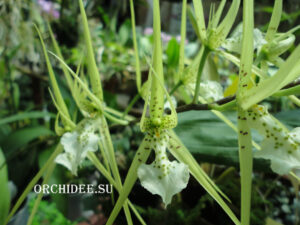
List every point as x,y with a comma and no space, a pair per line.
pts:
25,116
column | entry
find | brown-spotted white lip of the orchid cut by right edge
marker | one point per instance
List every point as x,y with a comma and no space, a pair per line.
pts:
279,145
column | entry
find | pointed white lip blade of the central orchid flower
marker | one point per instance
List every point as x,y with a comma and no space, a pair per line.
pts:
166,186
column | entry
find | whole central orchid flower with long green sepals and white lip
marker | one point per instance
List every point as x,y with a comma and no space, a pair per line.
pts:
162,176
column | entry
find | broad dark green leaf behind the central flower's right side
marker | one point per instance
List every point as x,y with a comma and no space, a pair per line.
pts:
211,140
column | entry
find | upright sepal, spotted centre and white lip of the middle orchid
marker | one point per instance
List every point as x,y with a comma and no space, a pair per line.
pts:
162,177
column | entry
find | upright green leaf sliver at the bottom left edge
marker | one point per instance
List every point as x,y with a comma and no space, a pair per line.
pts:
4,190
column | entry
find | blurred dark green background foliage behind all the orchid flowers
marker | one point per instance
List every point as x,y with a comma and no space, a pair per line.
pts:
27,114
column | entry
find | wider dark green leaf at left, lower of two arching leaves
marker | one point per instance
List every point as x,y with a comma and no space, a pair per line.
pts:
22,137
